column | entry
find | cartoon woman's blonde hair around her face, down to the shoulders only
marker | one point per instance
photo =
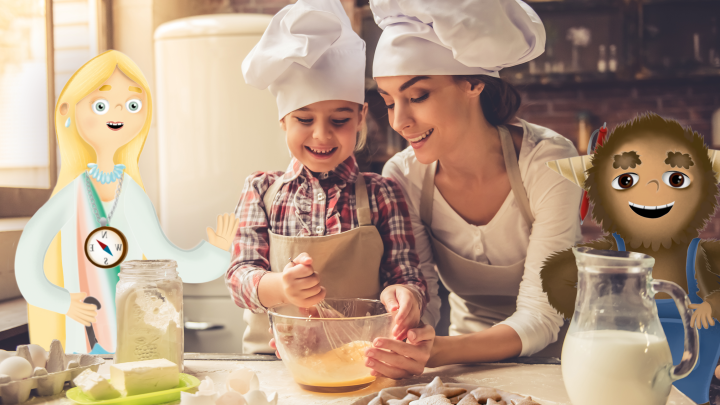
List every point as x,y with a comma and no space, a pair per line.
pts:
75,153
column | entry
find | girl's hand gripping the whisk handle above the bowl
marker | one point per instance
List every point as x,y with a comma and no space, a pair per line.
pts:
300,283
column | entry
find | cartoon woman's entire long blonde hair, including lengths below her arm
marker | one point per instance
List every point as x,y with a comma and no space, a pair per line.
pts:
75,154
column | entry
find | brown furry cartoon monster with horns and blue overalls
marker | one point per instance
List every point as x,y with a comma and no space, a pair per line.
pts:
653,185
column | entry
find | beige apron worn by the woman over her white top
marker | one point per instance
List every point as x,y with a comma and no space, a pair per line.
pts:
481,295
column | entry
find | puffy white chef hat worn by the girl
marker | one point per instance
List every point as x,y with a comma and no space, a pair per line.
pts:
308,53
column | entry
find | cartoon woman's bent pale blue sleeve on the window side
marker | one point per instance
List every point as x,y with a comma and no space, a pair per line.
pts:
32,248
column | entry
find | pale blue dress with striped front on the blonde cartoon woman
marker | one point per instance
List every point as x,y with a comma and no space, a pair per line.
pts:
48,290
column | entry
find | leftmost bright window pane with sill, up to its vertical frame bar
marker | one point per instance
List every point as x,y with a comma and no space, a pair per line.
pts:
27,140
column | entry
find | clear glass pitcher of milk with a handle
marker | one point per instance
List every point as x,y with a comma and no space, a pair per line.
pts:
615,350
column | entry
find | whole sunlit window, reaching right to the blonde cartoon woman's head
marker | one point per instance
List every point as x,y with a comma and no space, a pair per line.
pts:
42,43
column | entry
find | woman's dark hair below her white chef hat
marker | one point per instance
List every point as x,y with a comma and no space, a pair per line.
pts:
499,99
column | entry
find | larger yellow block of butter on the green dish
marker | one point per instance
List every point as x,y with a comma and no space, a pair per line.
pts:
142,377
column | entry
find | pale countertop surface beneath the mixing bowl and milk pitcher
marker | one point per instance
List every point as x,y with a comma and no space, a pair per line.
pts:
542,381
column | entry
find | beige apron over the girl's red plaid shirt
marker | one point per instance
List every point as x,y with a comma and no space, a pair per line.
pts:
348,263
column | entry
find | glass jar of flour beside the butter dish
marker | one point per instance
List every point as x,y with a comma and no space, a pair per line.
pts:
149,312
